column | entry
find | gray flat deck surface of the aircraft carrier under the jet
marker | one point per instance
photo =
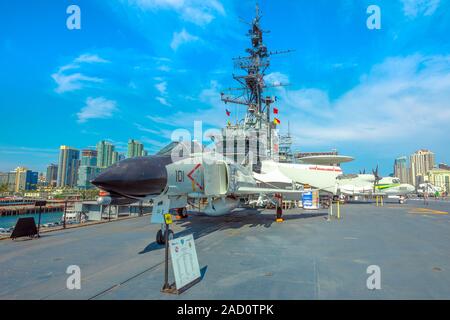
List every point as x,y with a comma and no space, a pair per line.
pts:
246,256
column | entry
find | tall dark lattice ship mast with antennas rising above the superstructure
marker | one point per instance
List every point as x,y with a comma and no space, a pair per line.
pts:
251,95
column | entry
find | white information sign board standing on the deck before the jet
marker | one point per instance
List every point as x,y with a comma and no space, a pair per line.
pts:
184,260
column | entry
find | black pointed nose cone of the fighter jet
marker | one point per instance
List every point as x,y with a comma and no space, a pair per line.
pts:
135,177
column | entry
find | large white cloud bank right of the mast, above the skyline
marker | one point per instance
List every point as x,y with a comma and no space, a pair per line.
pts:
403,100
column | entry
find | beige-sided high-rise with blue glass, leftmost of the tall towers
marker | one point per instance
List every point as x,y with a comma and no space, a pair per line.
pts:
69,160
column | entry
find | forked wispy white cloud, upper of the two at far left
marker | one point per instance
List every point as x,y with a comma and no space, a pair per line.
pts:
67,81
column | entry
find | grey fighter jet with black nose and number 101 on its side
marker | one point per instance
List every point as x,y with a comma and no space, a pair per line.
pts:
174,178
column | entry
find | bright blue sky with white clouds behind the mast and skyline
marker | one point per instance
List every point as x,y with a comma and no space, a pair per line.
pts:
140,69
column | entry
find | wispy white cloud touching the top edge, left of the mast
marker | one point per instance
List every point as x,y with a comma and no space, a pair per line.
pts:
199,12
